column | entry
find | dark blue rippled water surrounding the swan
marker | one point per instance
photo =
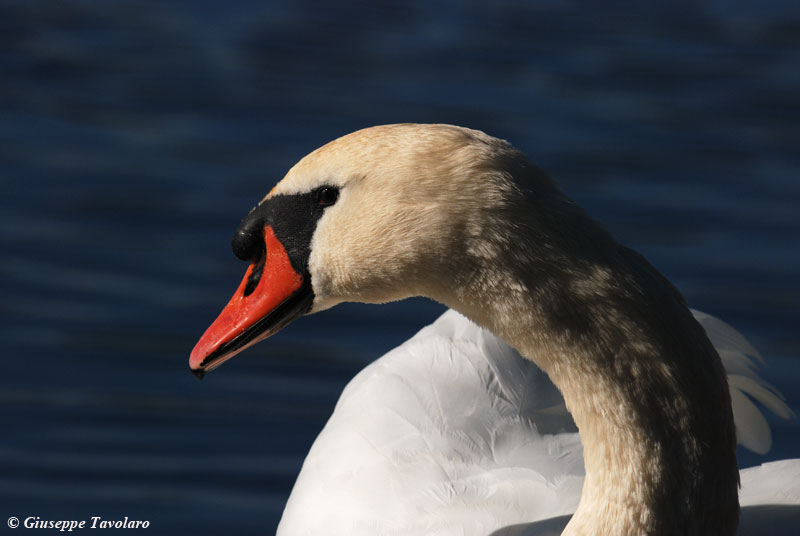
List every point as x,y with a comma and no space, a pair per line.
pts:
135,135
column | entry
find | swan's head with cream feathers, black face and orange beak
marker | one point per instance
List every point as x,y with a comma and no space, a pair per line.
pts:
378,215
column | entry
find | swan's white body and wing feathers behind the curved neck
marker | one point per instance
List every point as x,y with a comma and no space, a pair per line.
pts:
455,429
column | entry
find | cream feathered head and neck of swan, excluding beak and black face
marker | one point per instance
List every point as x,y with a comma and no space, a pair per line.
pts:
467,220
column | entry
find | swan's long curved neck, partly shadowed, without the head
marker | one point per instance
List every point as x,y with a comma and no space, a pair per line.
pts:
643,383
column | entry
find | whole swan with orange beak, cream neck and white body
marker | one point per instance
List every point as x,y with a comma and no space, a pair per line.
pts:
464,429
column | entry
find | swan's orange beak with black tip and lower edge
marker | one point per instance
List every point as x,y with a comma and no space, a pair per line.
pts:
271,295
